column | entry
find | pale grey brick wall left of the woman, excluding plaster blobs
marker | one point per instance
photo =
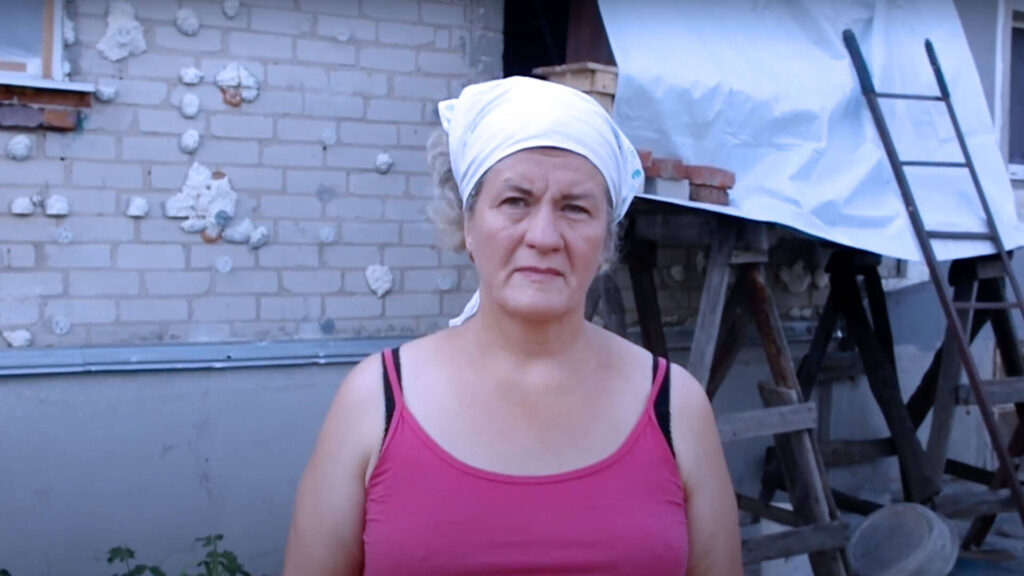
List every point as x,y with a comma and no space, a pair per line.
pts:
365,77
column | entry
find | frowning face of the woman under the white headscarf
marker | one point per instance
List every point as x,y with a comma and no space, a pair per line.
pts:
538,232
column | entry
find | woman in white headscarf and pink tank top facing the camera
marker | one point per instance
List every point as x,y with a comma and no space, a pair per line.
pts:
524,440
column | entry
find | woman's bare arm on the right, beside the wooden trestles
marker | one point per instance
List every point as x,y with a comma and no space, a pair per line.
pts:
711,503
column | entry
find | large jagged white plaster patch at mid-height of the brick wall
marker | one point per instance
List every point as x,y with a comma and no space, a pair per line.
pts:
206,200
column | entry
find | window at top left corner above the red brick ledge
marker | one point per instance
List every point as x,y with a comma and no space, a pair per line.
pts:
31,42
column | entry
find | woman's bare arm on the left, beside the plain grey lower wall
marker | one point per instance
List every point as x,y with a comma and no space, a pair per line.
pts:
326,538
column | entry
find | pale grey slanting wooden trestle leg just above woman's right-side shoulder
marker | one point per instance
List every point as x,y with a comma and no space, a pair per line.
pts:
712,303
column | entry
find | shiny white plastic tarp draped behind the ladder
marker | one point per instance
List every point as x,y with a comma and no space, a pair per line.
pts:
766,89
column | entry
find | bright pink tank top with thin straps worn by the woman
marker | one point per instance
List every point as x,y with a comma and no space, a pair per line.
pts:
430,514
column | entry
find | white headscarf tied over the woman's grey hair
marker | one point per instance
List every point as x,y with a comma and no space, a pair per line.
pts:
492,120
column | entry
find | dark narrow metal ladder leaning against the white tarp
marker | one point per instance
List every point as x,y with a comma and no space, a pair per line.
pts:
959,314
